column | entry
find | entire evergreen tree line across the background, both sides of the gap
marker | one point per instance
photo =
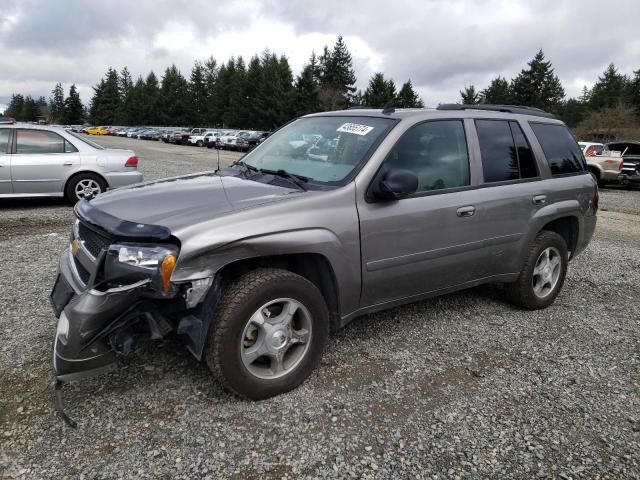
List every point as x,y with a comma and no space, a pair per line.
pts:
263,94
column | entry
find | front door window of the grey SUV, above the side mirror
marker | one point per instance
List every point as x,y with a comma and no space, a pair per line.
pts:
436,152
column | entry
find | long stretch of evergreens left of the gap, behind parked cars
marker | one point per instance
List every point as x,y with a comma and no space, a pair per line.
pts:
261,93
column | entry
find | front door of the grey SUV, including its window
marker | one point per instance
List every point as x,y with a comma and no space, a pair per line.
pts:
431,240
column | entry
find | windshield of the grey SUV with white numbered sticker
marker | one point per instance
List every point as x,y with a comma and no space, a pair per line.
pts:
322,149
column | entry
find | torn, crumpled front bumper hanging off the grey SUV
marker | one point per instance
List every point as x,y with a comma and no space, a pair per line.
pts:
97,325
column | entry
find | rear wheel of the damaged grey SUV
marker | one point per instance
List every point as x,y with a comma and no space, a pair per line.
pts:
527,292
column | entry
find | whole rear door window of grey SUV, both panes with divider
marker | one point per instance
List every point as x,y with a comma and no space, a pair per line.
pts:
506,155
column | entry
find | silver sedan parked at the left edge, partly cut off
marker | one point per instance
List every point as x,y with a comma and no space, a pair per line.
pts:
50,161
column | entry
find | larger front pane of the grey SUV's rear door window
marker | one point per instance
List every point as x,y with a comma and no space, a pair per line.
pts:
499,157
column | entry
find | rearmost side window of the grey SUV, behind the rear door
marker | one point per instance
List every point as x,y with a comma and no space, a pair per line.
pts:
563,153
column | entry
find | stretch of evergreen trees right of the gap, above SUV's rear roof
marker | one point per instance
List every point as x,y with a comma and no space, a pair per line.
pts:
613,101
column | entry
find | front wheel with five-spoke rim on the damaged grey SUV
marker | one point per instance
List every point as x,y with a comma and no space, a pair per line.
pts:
228,348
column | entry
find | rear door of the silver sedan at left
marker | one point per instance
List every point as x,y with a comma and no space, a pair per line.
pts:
41,161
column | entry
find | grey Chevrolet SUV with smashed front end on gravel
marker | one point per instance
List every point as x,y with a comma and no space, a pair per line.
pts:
334,216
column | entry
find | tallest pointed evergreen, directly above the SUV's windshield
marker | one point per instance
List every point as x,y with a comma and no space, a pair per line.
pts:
337,76
